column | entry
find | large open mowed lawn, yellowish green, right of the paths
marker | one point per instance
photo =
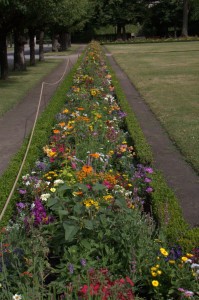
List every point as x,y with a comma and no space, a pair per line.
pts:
167,76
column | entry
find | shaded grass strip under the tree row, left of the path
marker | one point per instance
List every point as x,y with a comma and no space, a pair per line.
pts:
17,86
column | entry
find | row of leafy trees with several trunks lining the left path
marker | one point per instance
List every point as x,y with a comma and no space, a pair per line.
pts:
31,17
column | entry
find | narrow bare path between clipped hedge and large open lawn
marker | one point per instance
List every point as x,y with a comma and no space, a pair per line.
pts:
177,172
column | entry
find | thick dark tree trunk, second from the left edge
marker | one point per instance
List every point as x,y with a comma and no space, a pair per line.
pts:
19,57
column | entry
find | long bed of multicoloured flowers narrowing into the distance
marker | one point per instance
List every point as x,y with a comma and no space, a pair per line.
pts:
83,228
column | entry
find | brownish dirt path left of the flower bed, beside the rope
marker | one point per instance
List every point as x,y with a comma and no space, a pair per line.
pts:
16,124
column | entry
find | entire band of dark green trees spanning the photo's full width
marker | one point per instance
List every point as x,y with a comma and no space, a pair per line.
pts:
62,17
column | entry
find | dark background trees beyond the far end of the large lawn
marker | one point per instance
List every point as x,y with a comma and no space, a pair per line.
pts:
156,17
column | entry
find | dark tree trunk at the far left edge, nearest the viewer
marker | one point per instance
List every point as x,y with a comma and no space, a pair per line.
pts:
3,55
